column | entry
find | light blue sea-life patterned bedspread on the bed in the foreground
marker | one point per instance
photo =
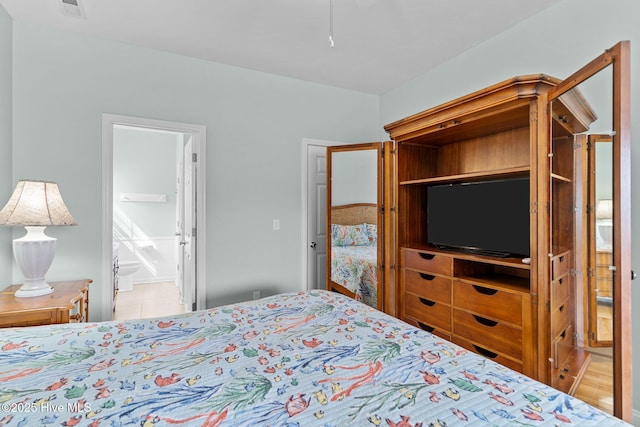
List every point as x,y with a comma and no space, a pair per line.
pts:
298,359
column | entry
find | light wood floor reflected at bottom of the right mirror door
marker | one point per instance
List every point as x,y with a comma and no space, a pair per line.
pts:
596,387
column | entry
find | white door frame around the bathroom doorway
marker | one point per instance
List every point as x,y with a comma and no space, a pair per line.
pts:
199,141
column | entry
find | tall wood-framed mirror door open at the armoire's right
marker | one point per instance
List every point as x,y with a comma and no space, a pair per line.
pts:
601,251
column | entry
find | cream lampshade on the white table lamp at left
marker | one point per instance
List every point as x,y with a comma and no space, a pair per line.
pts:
36,203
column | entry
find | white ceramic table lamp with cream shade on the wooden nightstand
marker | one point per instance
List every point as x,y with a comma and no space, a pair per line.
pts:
35,205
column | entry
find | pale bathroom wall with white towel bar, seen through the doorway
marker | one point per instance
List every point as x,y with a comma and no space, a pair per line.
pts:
144,162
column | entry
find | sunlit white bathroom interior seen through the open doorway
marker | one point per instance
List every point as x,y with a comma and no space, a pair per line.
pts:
146,215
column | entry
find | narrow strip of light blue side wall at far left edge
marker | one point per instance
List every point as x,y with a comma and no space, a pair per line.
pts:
6,179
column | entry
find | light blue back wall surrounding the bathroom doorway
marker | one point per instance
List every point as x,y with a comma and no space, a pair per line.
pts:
64,82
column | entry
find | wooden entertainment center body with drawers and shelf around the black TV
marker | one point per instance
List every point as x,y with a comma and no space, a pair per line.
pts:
520,314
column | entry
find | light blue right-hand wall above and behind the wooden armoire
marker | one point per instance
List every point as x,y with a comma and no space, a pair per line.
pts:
557,41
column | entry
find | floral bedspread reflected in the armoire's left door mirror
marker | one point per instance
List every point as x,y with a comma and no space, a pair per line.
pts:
354,267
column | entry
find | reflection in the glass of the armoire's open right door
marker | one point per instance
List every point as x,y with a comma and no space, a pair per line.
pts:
594,288
